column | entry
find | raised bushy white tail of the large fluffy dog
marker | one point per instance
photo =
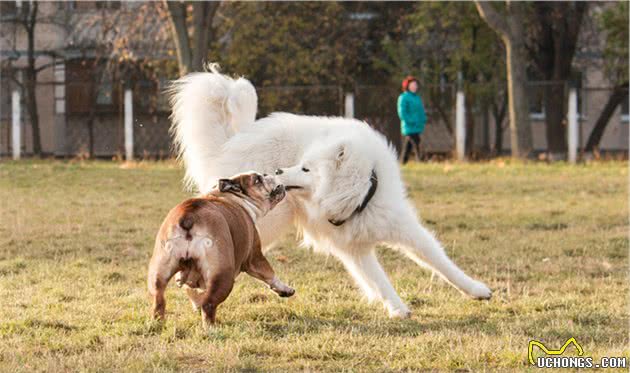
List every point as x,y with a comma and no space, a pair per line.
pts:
208,108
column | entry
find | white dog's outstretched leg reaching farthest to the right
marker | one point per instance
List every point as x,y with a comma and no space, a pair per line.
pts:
420,245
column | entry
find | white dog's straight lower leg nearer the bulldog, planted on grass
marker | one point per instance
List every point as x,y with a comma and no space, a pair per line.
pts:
373,281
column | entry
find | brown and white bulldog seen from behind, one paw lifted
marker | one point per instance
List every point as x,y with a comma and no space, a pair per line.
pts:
212,239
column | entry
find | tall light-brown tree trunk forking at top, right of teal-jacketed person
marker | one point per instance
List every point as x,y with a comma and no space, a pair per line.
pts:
509,25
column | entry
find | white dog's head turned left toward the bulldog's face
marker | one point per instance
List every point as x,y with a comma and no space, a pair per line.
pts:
332,178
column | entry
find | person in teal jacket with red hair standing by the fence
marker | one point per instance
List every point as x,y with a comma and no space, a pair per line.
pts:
412,118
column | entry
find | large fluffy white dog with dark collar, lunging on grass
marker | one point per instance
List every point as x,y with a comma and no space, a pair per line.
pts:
348,194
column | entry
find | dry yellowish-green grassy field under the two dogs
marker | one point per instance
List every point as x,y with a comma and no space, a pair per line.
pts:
551,240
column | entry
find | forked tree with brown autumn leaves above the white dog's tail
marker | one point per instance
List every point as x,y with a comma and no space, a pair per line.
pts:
141,33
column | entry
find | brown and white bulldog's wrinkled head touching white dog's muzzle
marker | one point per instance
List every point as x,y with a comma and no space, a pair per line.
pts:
264,191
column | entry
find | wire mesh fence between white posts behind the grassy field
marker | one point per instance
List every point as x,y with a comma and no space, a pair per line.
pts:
75,119
